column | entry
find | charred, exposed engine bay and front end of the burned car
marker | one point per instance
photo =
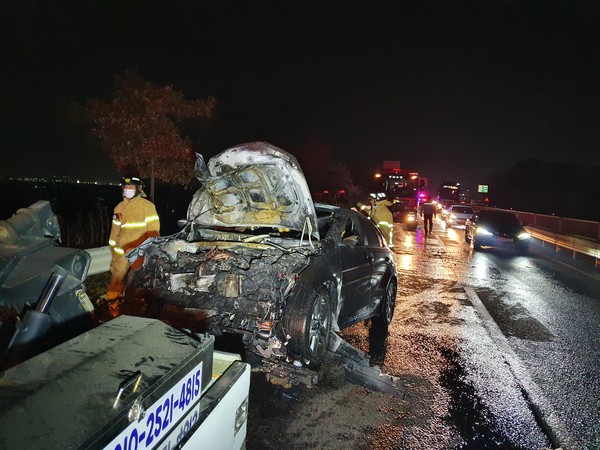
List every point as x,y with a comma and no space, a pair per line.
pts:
229,287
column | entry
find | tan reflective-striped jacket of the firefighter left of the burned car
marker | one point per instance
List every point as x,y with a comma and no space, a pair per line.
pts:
134,221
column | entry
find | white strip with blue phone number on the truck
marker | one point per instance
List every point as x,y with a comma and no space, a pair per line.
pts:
145,433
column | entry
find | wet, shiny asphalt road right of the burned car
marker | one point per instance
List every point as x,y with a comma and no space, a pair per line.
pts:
494,351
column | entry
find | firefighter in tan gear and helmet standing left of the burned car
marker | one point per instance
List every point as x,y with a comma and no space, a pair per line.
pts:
134,220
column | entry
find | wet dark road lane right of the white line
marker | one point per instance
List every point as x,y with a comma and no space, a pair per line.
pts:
550,316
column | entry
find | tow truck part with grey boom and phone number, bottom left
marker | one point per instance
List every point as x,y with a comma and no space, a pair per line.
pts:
130,383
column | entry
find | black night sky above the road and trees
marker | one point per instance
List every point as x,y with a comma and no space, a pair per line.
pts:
454,89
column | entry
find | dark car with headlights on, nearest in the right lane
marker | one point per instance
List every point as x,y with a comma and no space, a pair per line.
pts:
497,228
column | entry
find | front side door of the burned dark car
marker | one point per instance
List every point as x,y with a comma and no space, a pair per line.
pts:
355,261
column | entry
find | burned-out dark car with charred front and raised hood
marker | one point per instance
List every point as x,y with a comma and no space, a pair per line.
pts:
257,257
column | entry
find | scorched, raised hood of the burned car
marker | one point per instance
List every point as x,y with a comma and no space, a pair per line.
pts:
253,185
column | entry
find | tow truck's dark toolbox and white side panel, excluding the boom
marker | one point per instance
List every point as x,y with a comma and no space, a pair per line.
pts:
131,383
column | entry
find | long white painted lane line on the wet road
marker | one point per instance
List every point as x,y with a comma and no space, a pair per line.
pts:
550,423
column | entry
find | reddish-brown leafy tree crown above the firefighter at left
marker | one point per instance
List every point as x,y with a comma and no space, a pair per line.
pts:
139,129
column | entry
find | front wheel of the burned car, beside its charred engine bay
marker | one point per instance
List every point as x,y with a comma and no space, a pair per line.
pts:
307,321
